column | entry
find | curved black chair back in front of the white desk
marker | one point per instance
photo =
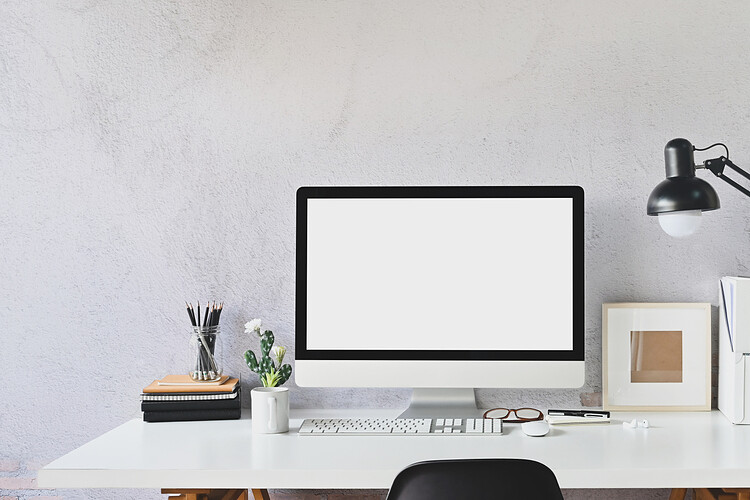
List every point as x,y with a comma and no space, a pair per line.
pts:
476,479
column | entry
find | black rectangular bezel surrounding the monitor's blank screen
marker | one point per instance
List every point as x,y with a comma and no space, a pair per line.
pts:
575,193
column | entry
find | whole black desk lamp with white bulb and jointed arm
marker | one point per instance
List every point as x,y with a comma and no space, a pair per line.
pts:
682,197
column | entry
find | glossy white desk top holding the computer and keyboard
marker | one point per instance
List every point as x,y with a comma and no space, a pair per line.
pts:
700,449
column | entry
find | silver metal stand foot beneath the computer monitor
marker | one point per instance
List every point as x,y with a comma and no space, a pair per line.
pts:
432,403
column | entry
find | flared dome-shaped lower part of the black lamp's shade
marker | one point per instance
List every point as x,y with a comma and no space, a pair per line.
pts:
682,193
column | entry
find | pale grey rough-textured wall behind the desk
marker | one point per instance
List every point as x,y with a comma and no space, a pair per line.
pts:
150,151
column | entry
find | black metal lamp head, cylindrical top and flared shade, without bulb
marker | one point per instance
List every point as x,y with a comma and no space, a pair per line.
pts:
681,190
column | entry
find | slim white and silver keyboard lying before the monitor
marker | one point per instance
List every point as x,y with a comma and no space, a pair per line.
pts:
400,426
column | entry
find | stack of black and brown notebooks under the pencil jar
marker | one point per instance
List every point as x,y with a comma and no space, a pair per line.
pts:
178,398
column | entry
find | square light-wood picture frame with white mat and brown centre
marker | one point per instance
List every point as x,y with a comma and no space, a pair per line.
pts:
656,356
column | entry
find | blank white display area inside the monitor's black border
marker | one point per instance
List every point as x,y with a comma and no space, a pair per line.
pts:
440,274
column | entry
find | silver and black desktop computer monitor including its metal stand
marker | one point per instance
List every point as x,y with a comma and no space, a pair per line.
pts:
440,289
